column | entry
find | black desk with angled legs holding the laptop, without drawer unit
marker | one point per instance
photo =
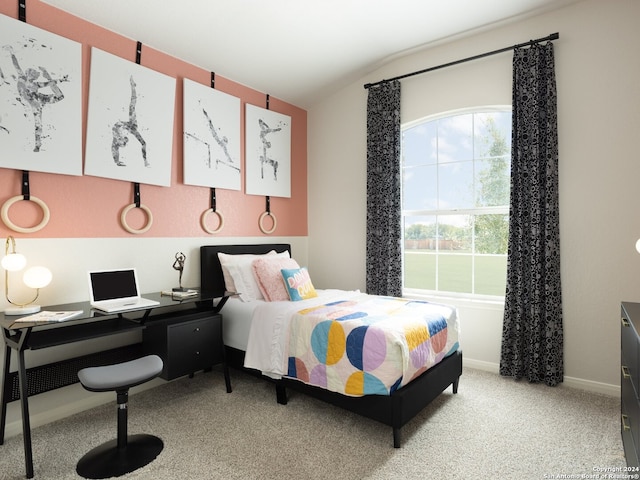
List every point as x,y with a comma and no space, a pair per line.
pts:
22,336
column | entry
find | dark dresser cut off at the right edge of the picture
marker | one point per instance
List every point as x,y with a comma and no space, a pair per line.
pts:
630,382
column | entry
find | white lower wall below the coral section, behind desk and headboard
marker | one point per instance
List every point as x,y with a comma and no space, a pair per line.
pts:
69,260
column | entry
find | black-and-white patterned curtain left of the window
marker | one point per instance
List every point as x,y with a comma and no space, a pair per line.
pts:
384,220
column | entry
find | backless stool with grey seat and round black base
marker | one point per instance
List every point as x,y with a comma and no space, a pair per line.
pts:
128,452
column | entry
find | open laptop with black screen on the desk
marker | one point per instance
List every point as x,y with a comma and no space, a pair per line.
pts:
116,291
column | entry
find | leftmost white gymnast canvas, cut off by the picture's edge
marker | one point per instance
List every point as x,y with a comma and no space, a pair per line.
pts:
40,99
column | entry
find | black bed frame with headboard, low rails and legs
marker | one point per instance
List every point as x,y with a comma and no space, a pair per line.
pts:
394,410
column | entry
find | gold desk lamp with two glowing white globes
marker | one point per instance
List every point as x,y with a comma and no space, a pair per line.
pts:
34,277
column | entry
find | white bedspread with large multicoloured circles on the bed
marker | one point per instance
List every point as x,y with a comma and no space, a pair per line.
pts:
353,343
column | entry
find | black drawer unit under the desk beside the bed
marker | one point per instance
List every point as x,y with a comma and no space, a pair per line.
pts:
186,343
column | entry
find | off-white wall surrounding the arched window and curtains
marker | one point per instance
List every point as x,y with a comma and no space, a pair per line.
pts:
597,72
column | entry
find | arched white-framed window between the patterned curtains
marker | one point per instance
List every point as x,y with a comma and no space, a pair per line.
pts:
455,202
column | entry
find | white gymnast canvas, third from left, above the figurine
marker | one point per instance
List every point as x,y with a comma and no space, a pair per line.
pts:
211,137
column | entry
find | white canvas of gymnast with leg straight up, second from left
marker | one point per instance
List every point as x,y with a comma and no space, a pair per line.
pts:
130,121
